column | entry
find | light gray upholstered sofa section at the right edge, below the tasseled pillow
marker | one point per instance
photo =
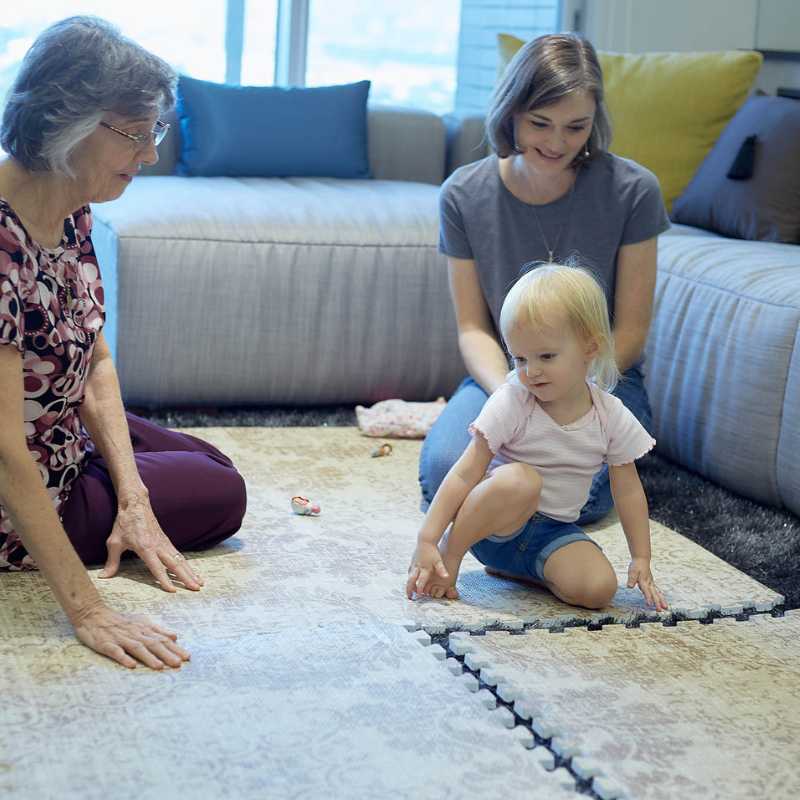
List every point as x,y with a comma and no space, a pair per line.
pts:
721,353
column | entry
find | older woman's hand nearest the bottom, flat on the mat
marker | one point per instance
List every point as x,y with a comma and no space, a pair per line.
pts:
128,640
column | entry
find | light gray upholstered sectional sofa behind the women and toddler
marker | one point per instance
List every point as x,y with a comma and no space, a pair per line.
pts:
315,291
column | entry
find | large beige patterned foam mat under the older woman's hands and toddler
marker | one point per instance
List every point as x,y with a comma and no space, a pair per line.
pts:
305,677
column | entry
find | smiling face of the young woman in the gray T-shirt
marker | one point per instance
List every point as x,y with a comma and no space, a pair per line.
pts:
552,136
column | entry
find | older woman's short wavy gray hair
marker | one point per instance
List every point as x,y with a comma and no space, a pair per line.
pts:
76,71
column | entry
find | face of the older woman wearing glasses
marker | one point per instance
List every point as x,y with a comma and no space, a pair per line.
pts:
107,161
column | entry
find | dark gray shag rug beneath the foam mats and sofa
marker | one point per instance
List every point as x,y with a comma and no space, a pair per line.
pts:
761,541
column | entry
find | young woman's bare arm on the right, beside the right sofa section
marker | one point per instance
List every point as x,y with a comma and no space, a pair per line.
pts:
633,300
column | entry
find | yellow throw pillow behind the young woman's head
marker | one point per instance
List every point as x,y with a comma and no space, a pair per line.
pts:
668,109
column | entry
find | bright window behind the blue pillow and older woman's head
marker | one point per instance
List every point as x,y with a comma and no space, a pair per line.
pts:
407,50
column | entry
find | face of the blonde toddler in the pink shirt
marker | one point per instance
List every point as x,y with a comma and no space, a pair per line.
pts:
552,362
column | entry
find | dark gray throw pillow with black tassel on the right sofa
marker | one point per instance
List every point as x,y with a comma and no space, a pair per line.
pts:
764,206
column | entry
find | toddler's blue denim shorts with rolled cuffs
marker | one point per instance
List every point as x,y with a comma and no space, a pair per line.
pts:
525,552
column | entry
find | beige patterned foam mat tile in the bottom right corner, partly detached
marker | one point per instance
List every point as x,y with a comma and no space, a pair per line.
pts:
657,713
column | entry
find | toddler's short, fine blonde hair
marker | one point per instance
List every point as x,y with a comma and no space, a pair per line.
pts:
574,294
